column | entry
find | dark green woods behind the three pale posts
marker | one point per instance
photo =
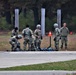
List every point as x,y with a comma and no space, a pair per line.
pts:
30,13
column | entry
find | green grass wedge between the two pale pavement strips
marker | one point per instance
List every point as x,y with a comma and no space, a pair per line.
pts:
67,65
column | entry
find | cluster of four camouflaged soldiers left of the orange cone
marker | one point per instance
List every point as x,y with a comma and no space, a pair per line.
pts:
32,39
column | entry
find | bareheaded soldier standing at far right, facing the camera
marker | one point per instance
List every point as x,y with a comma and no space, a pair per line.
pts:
64,31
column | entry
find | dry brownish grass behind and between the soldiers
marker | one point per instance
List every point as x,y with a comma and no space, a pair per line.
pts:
5,36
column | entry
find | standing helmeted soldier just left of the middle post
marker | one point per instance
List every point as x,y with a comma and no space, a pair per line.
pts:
38,37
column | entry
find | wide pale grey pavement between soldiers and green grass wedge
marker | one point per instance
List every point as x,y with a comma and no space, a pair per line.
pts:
10,59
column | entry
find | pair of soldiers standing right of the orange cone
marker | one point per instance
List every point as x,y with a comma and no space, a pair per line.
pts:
62,34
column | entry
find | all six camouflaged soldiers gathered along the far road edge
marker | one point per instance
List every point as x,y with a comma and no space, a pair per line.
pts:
33,39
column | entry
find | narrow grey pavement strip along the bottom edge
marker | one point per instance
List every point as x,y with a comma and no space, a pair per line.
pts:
37,72
